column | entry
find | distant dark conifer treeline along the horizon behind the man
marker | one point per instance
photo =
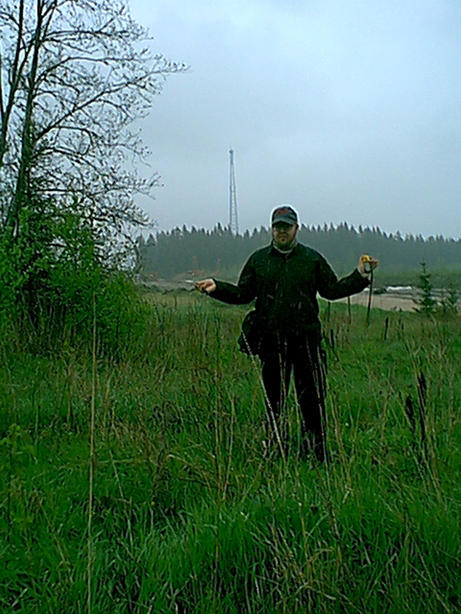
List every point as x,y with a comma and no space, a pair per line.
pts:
187,250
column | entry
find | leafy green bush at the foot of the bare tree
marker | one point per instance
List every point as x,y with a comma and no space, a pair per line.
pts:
53,288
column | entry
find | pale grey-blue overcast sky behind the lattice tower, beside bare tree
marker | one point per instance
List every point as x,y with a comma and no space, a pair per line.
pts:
350,110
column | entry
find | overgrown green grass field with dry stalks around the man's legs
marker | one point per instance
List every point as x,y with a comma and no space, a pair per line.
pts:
139,483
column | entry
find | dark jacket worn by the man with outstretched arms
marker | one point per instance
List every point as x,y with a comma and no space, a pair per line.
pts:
285,288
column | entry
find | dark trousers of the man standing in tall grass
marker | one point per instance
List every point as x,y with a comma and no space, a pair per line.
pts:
304,357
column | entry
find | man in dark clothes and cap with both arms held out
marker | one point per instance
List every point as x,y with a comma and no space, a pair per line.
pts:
284,278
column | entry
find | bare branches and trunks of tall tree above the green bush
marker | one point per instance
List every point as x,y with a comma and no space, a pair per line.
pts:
74,75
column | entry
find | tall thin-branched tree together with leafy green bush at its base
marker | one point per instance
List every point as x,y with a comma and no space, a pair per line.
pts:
66,195
